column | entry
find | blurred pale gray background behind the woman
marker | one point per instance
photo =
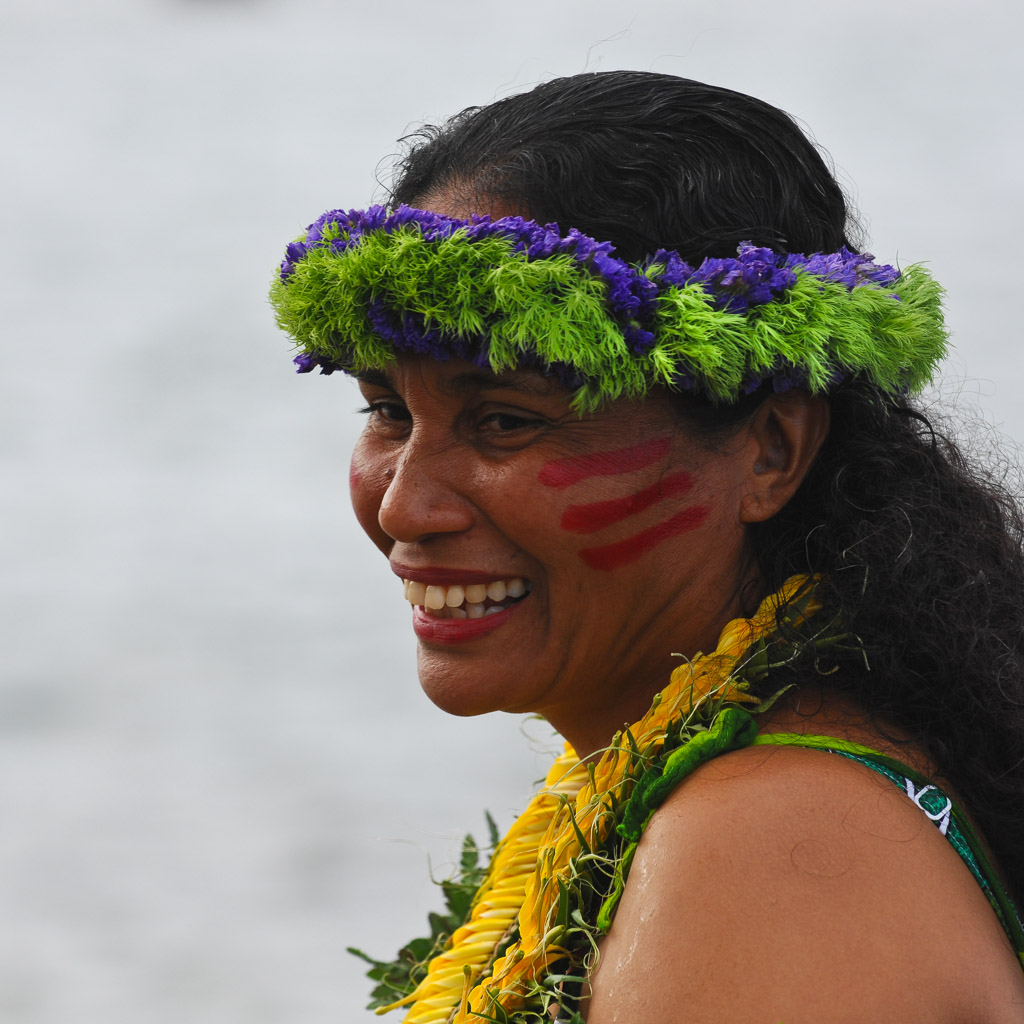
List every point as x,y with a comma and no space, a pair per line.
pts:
217,767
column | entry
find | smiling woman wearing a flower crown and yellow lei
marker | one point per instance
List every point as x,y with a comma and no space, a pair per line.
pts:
674,496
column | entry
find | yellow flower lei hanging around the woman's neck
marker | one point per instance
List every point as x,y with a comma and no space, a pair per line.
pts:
525,892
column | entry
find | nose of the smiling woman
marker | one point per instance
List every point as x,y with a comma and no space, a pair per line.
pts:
424,497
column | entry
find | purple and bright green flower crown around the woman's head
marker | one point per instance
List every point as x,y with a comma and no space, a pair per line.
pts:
363,287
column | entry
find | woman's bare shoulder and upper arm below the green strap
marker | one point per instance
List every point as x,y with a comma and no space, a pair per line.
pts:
783,884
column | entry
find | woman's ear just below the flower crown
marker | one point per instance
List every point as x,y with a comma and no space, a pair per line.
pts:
787,433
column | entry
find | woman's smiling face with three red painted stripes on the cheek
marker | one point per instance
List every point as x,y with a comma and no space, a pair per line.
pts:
557,563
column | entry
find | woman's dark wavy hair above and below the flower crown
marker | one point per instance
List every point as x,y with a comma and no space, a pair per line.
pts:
921,549
